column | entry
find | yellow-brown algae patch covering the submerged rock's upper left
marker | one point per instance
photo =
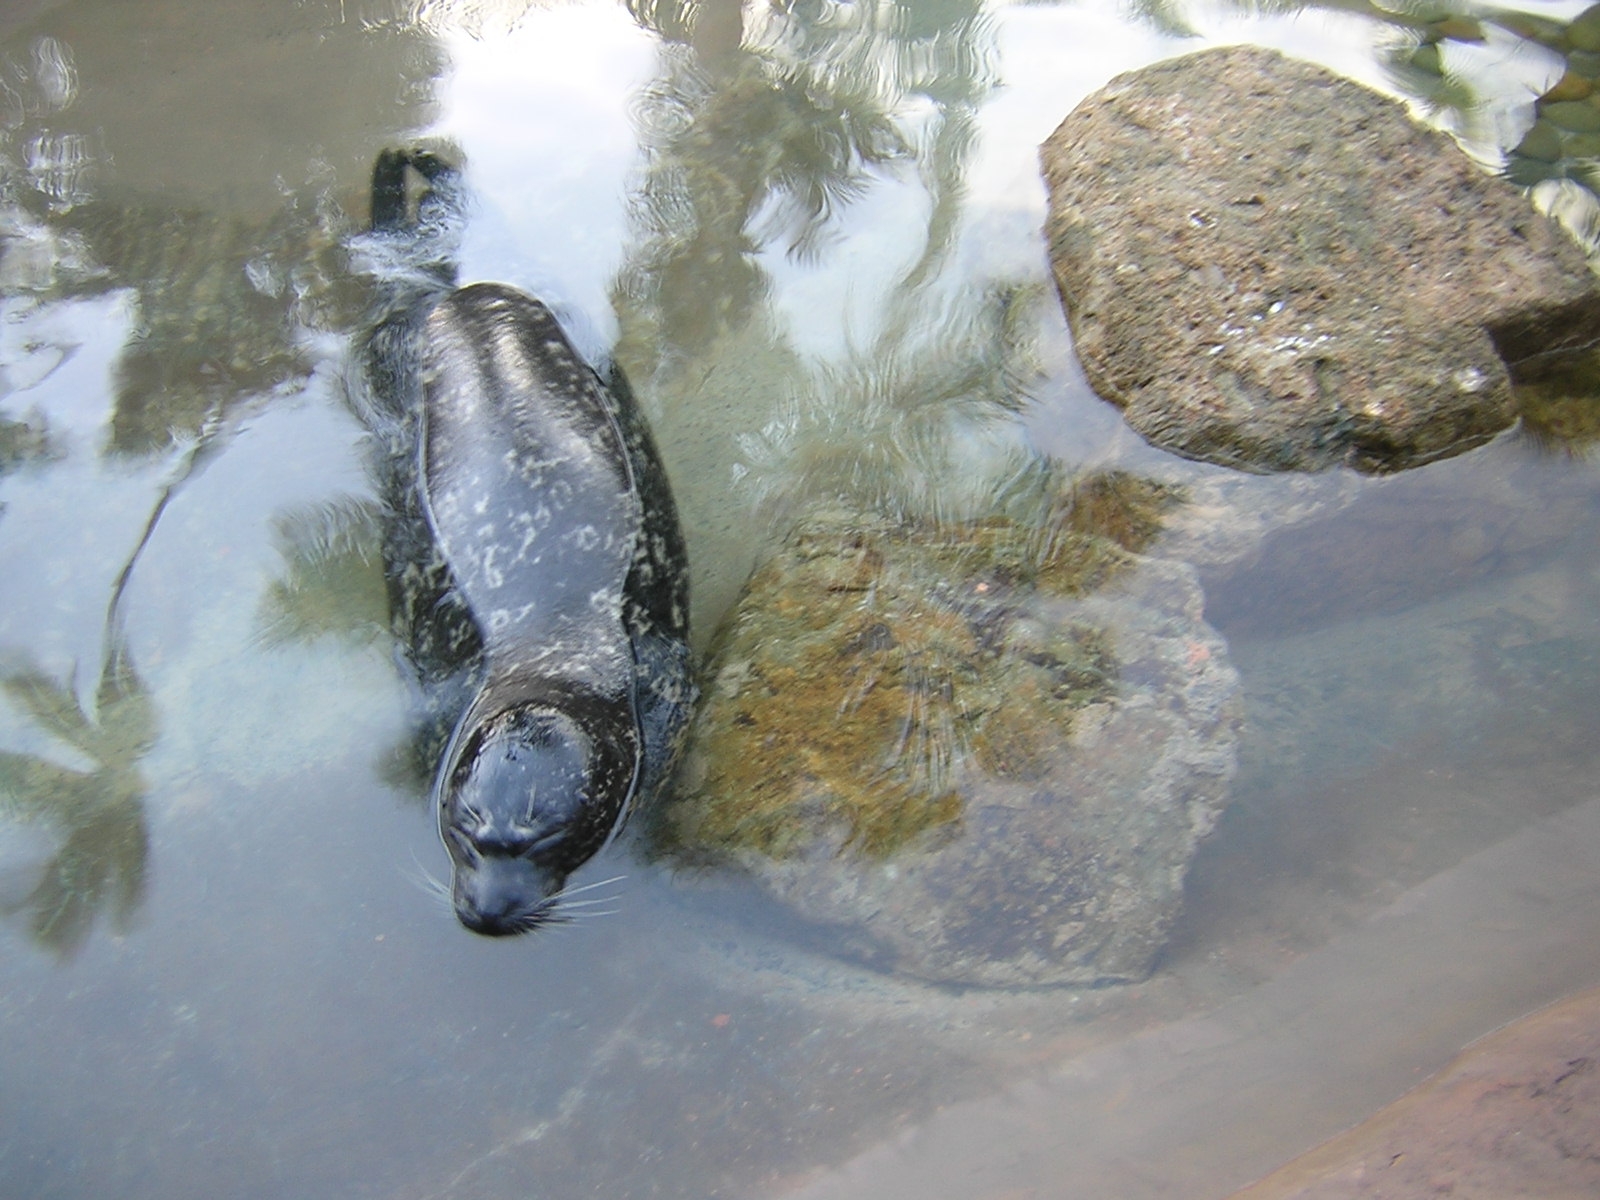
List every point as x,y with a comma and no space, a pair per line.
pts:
871,665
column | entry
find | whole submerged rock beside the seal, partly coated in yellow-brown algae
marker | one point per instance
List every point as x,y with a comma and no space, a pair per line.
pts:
980,753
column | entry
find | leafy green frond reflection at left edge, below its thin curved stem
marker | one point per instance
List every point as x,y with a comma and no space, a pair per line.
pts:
100,814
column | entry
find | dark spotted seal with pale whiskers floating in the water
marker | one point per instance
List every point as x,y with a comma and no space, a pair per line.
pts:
538,550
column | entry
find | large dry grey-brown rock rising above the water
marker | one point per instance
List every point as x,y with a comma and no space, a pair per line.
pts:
1273,268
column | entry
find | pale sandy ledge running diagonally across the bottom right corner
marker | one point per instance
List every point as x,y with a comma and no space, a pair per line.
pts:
1207,1105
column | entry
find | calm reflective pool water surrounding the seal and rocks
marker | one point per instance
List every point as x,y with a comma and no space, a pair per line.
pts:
223,974
